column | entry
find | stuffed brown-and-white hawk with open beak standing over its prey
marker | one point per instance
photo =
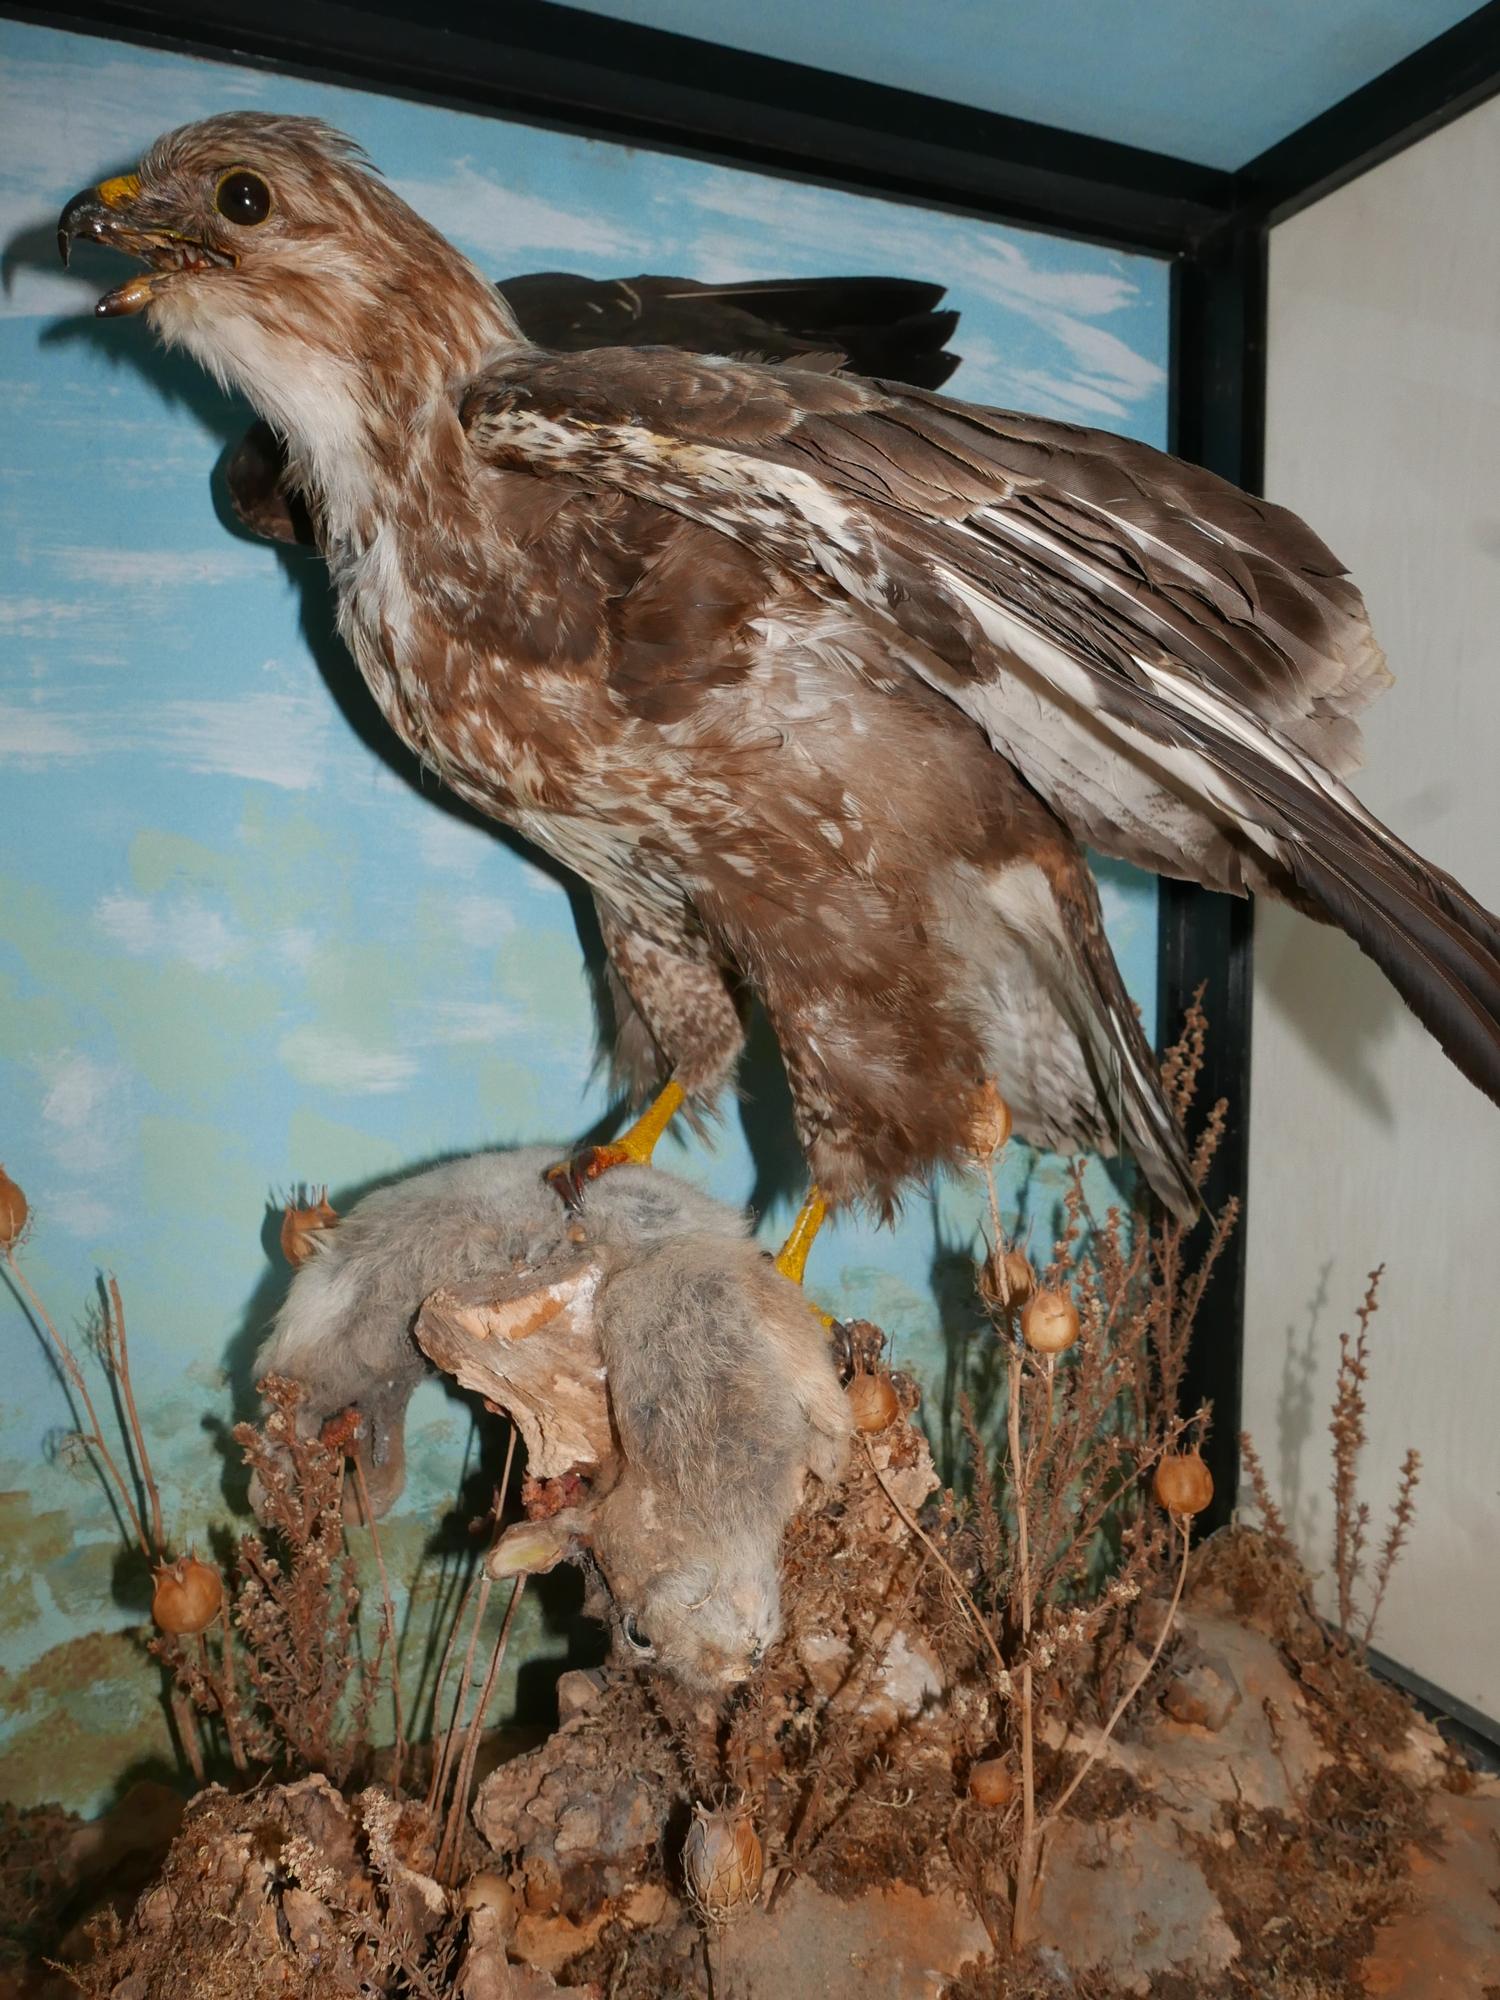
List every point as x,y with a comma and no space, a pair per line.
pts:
819,683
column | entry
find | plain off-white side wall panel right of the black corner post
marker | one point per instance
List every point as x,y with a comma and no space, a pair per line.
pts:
1365,1143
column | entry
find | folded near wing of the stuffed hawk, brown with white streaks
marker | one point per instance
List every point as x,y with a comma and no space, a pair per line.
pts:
1183,621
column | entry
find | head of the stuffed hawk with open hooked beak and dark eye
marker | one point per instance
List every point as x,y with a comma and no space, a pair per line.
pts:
287,267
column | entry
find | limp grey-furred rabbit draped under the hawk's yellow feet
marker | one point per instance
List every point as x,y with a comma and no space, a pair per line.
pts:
721,1383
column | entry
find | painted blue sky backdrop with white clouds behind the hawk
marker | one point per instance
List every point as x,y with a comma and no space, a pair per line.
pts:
237,947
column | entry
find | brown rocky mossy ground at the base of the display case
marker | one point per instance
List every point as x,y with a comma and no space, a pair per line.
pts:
1269,1823
